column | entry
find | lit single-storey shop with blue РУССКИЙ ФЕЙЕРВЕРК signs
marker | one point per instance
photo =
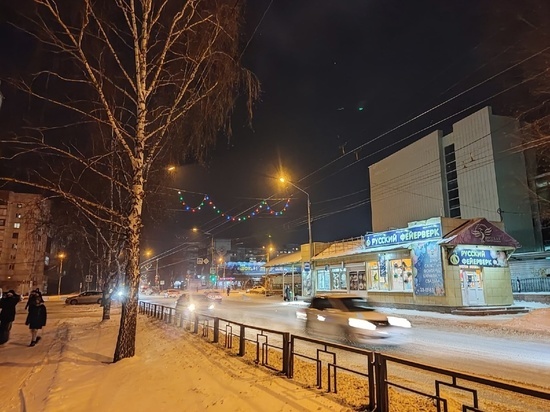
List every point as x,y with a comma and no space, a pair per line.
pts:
437,262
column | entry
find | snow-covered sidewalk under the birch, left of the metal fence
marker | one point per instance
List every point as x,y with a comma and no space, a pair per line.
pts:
71,370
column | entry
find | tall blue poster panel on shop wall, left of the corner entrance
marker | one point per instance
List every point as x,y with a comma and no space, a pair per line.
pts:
427,269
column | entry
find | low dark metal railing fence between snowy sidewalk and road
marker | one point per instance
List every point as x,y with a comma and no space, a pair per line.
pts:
379,382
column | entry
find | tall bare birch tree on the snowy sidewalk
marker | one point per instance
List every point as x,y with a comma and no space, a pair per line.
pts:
140,79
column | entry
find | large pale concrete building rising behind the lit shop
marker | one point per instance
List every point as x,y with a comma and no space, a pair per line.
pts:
477,170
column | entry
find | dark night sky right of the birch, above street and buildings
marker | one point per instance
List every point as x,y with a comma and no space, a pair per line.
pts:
336,76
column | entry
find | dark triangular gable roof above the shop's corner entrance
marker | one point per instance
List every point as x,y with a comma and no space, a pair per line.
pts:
479,232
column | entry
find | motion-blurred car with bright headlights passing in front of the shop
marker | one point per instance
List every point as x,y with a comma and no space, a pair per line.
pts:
348,319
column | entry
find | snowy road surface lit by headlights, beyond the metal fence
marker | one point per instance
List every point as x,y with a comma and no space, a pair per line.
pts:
443,341
